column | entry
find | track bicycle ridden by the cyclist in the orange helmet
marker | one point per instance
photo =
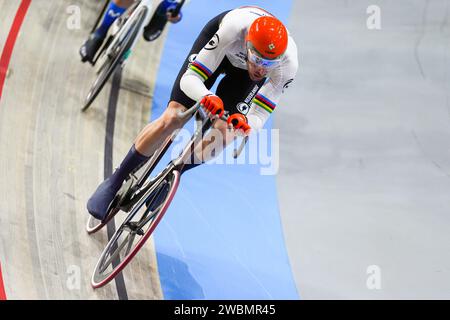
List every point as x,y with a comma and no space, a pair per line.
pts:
146,200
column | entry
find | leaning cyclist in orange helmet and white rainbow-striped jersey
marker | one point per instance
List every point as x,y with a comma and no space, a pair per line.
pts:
259,59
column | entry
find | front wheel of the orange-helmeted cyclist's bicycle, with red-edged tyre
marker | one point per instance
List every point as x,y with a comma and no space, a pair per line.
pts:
135,230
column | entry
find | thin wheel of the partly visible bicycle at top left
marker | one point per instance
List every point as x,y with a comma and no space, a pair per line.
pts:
115,56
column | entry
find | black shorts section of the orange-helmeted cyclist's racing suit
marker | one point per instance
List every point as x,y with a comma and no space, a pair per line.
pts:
236,89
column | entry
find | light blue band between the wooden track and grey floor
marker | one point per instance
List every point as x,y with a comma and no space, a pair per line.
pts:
207,249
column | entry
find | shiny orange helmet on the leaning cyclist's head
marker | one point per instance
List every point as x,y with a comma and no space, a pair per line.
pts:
268,36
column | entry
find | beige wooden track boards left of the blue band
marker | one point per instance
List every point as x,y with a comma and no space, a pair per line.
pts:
53,156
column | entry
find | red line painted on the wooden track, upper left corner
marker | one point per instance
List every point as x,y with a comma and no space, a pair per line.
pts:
10,42
